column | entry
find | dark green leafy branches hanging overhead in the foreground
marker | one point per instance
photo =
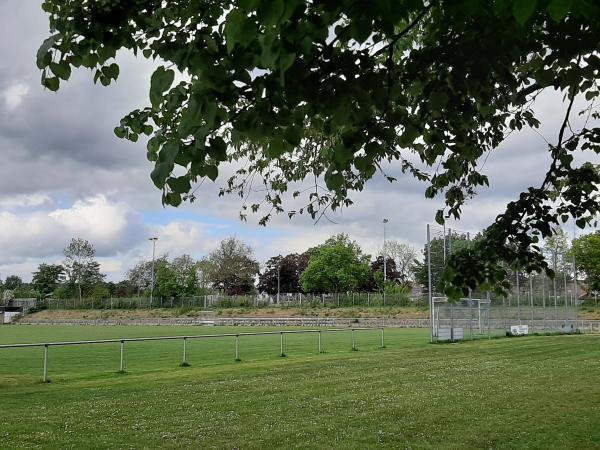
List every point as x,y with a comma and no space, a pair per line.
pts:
296,90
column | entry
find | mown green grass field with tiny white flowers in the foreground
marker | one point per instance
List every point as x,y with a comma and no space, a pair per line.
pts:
530,392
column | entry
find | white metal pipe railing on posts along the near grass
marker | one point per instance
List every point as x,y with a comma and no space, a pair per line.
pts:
184,339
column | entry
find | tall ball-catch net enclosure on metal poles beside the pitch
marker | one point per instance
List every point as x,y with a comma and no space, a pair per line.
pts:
536,303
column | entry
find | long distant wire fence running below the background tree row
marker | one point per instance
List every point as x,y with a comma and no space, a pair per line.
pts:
214,301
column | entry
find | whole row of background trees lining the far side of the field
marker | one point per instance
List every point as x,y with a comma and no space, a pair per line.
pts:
337,265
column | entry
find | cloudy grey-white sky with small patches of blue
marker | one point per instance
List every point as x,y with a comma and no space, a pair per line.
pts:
64,174
